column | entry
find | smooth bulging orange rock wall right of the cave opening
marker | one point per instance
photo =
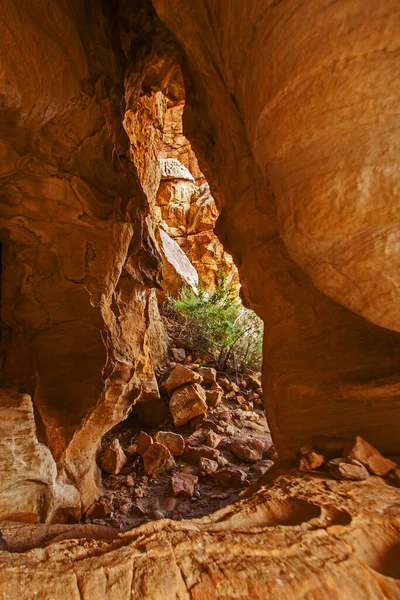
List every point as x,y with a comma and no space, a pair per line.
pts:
295,127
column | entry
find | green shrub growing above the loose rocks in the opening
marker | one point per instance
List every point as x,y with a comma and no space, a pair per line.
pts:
218,323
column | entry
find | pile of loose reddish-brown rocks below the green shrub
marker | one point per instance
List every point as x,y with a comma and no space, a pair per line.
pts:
214,442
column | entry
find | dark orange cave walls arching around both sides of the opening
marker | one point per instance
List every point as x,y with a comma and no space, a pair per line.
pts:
301,162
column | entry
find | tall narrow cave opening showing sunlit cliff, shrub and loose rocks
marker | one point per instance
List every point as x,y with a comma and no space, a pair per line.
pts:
200,439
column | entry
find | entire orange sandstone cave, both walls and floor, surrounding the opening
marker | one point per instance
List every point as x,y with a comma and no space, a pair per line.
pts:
292,109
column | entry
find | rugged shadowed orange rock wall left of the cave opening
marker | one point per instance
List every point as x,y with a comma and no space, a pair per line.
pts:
80,331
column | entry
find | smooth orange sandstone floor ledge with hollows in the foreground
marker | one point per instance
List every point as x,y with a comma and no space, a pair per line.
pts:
250,550
